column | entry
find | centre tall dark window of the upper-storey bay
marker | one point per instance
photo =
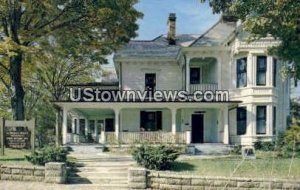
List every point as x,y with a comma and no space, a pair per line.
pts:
261,68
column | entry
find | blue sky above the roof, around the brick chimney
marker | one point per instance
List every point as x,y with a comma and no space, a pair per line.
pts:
193,17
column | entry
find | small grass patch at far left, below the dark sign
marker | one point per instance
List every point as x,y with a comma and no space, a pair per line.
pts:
15,156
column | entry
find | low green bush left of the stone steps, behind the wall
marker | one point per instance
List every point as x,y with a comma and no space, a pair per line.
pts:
48,154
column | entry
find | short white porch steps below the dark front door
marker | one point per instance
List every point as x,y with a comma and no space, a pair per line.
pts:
212,149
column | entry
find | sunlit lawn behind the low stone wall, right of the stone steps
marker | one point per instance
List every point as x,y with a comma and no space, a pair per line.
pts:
264,166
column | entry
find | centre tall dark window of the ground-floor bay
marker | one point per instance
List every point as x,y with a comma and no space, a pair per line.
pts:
261,112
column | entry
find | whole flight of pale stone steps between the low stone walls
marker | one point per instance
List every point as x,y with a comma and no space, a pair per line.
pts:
100,171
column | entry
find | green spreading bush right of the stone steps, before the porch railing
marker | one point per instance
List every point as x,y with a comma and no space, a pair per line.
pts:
155,157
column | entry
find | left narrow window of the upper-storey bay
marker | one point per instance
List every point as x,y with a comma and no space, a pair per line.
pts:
241,71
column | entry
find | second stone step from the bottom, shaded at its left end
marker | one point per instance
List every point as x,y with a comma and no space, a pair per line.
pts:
98,180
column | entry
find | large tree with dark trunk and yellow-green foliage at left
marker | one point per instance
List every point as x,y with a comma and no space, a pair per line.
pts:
86,29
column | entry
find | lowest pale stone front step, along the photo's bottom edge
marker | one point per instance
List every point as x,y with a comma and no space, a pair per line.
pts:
97,186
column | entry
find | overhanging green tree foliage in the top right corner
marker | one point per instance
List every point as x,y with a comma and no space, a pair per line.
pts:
278,18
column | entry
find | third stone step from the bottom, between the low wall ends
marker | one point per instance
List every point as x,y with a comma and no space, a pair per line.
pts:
98,174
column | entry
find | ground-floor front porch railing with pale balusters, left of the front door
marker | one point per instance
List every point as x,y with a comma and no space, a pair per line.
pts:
153,137
